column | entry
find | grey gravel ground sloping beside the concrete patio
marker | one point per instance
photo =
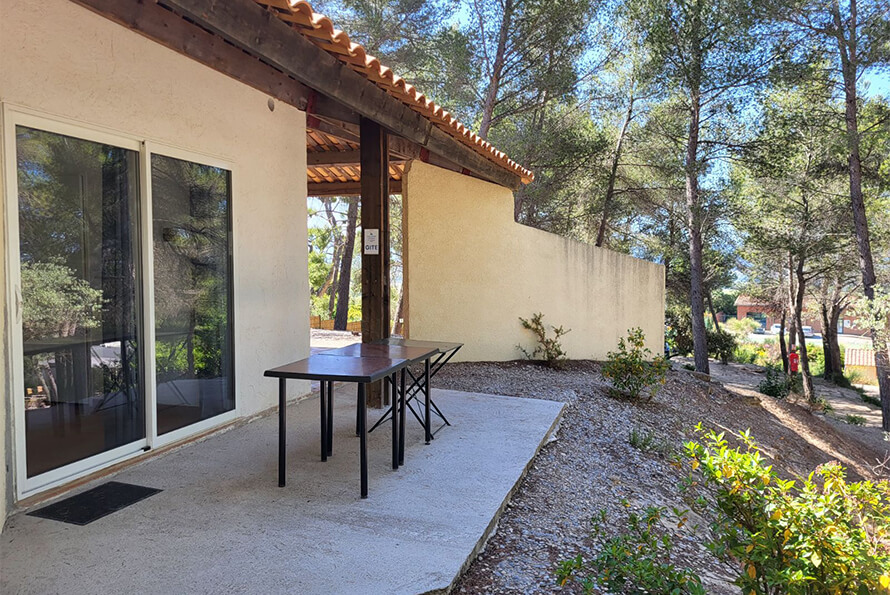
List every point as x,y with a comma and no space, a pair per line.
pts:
591,466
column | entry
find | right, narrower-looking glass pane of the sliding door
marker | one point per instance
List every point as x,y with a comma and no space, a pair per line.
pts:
191,232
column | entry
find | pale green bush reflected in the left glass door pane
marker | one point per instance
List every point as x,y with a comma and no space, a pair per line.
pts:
59,303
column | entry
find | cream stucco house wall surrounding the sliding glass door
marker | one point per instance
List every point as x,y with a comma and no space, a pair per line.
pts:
61,59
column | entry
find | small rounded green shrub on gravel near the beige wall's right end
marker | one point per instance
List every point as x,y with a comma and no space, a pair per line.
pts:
632,369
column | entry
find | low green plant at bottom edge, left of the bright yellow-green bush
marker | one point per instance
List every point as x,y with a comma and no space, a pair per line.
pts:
637,561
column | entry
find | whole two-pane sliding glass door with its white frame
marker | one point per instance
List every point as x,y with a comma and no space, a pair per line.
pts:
124,295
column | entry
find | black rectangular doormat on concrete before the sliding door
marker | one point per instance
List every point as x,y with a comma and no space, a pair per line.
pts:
86,507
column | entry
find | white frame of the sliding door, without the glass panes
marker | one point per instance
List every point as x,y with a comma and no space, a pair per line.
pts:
13,116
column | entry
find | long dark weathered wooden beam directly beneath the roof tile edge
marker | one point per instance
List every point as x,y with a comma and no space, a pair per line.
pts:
247,25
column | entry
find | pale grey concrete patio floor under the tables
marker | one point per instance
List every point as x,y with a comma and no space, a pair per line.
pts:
222,525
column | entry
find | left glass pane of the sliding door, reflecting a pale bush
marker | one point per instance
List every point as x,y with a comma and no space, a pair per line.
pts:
78,222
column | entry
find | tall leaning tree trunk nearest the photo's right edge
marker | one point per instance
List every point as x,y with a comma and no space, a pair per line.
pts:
847,49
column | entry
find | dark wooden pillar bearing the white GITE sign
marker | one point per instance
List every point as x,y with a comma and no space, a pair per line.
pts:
375,216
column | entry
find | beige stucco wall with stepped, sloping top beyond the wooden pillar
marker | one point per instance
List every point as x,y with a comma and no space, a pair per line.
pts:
472,271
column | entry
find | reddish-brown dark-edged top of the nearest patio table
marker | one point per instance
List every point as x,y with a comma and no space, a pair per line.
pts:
342,368
